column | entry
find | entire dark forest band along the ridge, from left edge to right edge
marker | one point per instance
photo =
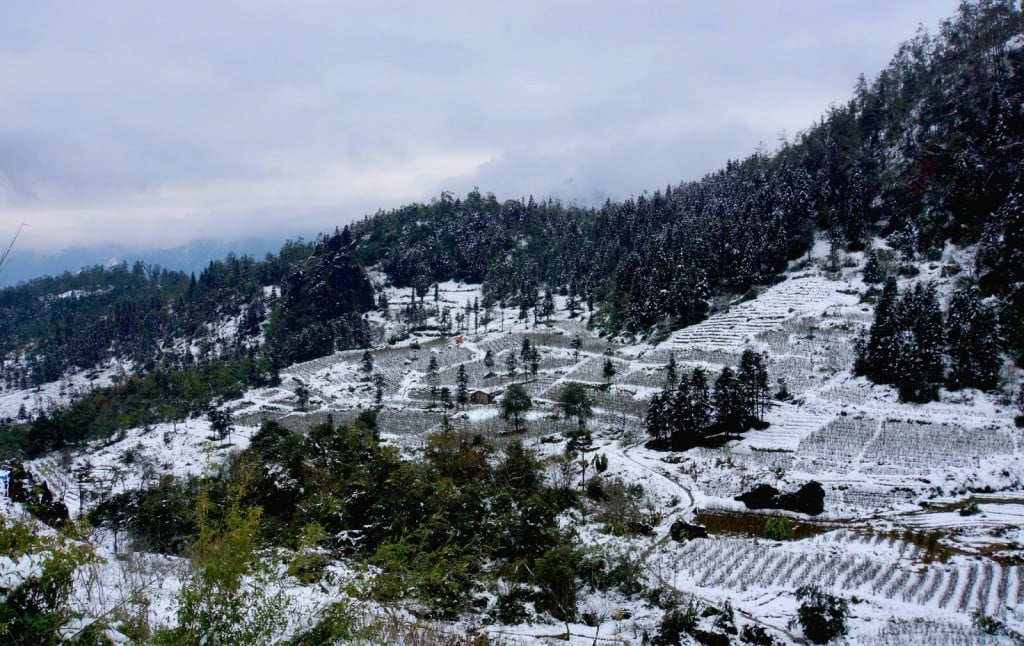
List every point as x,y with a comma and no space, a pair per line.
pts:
929,151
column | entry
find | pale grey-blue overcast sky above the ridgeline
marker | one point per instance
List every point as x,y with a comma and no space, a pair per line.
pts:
153,123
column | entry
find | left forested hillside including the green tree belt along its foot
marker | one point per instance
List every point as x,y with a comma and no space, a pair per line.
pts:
176,342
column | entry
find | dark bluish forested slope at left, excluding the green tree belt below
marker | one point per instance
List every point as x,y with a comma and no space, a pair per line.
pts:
156,319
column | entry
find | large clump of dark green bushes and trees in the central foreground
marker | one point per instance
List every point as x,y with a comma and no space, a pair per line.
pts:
464,518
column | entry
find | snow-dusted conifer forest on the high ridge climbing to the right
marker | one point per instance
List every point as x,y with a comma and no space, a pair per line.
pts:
929,151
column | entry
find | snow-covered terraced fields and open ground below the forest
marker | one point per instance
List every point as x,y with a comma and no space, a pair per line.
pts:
897,477
